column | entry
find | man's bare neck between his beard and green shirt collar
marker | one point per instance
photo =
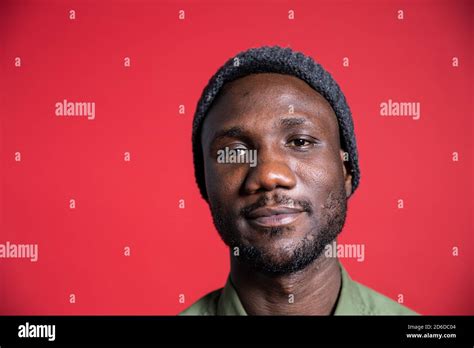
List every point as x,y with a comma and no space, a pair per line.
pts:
312,291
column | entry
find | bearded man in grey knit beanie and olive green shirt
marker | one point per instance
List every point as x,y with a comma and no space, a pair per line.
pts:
278,216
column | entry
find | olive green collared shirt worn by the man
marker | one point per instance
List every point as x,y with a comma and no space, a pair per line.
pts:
354,299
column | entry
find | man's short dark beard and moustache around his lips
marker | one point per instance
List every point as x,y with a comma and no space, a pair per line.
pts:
325,227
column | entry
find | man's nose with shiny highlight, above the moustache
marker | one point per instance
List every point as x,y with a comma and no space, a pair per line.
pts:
268,175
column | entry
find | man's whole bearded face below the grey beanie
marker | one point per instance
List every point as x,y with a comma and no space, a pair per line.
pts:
281,213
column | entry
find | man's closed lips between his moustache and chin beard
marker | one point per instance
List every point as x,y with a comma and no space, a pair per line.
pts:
274,216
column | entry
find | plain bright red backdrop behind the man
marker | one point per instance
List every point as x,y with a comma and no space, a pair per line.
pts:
177,251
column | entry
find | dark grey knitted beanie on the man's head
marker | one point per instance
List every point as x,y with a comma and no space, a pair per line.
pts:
283,61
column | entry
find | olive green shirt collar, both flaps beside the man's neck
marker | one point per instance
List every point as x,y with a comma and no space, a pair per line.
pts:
349,301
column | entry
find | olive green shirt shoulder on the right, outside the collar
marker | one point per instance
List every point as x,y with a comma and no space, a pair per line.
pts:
377,304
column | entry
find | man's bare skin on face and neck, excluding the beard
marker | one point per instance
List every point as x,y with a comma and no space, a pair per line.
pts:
296,135
